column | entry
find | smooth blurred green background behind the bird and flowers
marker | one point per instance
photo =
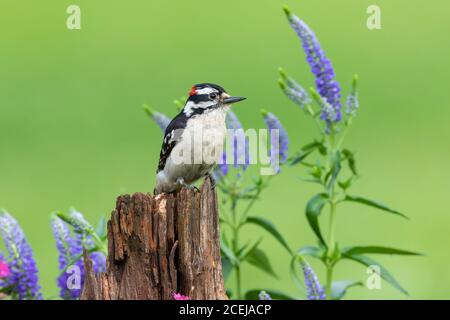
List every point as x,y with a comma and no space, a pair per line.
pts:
72,131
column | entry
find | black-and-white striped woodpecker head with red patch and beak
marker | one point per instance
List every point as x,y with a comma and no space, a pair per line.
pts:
207,96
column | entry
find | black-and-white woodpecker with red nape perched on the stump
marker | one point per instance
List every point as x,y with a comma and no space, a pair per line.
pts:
193,140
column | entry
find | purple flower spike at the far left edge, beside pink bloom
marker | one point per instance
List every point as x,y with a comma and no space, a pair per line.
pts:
23,278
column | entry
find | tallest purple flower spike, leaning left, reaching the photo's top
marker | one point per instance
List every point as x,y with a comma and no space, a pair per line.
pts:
320,65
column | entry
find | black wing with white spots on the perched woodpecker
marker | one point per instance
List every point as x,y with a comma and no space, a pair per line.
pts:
171,137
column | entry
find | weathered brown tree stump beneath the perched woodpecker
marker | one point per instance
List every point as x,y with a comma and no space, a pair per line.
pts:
158,245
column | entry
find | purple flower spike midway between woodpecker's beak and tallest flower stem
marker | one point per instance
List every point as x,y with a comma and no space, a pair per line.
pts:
278,145
